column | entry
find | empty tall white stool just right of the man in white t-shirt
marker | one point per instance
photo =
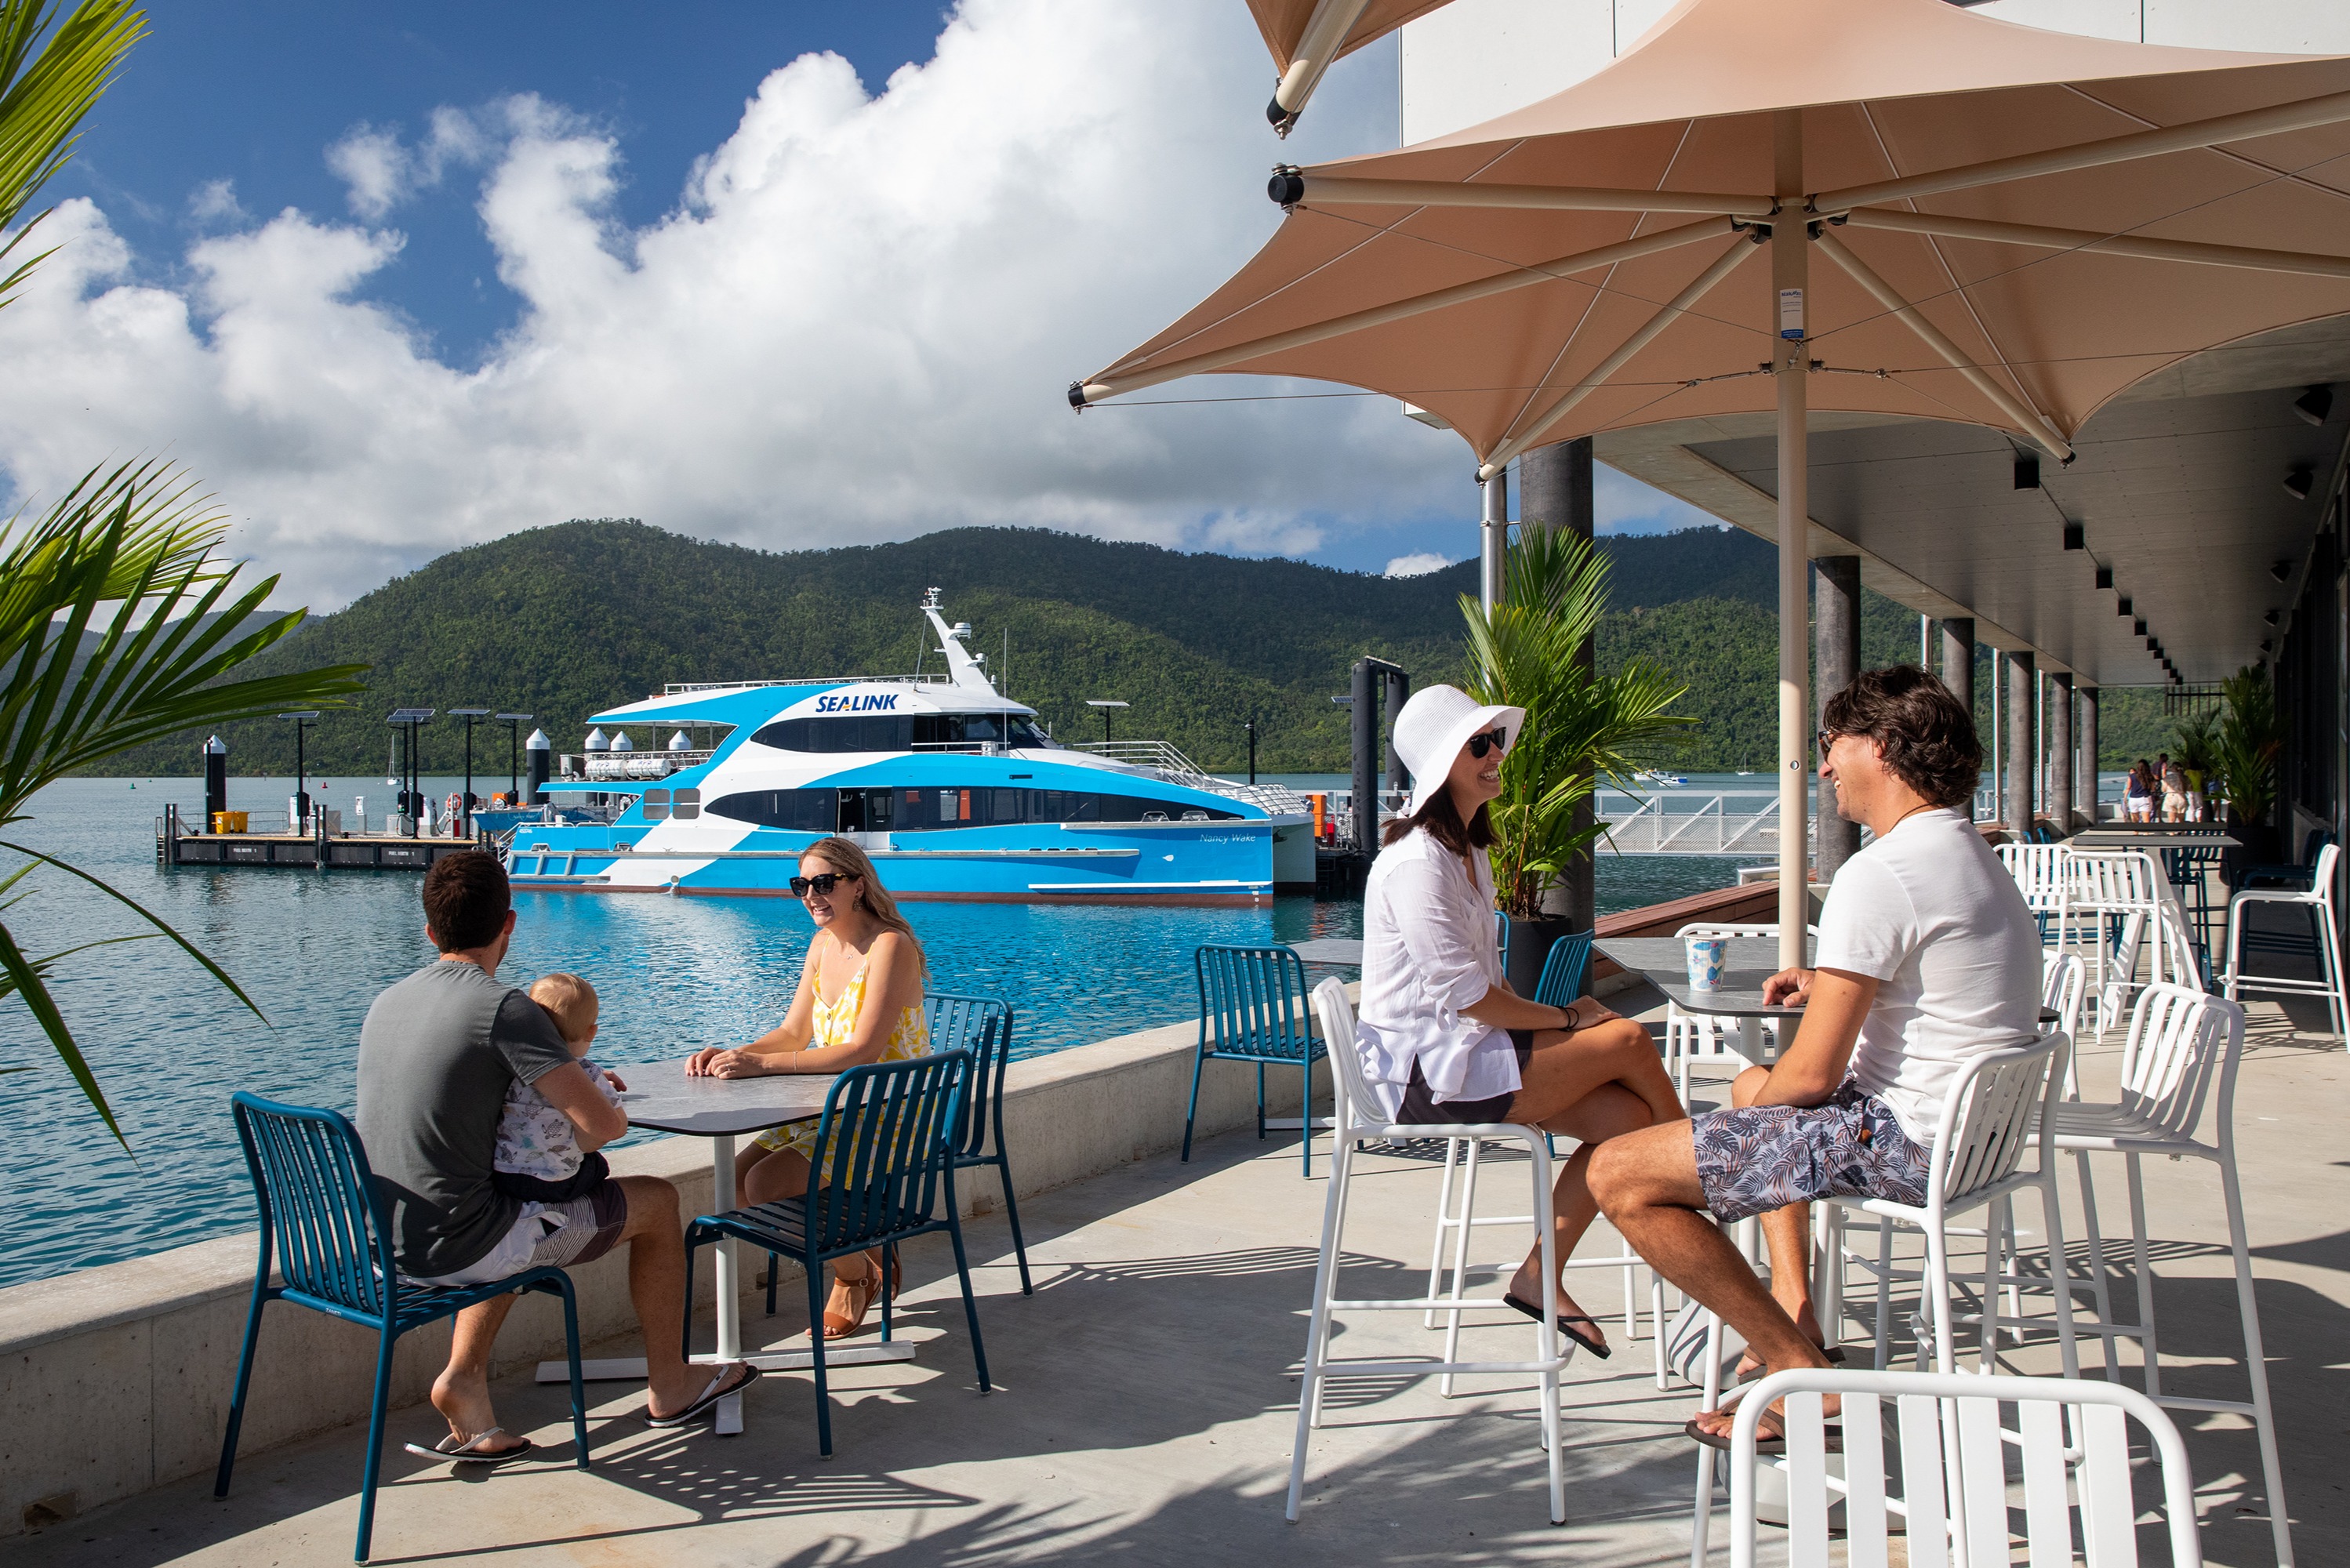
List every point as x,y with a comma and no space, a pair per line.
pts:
2180,1047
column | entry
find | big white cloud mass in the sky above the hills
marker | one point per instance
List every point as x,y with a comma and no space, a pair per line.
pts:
857,323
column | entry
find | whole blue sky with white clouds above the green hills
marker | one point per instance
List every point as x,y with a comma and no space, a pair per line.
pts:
396,281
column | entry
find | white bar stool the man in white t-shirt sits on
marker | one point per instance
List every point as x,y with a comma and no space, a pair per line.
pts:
1982,1134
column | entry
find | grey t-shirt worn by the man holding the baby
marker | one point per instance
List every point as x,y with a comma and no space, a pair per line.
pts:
436,1059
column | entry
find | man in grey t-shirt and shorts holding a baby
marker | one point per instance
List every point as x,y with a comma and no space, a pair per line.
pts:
438,1054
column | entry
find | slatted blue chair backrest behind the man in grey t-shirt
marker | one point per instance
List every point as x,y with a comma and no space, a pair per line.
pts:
318,1200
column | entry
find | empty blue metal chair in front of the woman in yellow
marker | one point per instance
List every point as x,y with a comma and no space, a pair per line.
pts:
894,1134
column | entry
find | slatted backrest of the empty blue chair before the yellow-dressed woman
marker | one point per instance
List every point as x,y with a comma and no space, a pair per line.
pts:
892,1134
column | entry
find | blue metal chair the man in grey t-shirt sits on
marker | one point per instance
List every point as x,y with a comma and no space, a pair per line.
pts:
330,1231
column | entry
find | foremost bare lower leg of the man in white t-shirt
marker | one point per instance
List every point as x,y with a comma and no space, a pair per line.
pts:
1646,1184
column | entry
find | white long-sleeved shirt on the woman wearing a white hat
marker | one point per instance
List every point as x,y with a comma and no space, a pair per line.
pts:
1428,953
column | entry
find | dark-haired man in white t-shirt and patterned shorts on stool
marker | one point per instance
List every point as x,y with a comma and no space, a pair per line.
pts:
1926,958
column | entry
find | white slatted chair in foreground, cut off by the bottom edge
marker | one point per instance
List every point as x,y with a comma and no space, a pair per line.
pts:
1954,1470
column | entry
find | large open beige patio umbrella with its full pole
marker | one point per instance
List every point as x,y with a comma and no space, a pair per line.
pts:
2010,229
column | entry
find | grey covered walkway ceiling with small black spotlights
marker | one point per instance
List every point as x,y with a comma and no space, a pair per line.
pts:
2180,490
